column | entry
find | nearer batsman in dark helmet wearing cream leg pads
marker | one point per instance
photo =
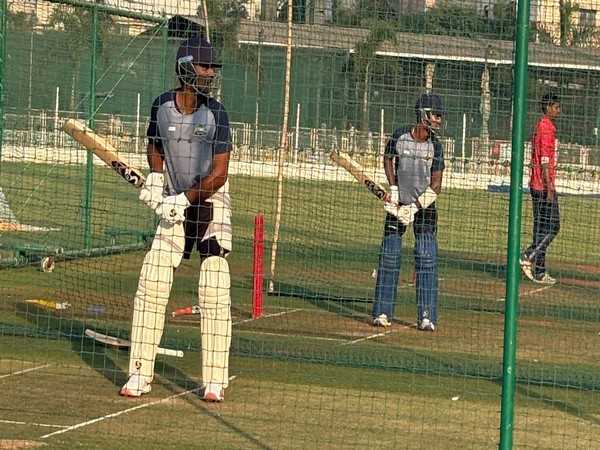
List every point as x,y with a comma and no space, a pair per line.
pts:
188,153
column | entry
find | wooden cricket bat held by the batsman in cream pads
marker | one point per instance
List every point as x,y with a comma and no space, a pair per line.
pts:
104,150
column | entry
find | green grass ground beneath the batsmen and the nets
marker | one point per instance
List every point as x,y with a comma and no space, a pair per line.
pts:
316,361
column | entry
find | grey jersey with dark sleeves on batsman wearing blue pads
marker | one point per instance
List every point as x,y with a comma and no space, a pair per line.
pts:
414,163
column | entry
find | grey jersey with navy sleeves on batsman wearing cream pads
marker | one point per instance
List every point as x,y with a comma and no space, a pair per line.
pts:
188,141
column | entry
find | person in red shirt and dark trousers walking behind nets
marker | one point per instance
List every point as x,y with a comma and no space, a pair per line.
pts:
546,214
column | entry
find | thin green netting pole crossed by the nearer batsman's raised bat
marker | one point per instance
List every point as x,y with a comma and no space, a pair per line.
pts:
89,174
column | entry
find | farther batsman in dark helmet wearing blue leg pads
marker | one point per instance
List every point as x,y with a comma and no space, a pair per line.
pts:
414,164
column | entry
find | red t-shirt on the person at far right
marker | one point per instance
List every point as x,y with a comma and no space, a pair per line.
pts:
543,151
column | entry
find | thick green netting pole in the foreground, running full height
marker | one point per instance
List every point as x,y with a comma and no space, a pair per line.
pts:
513,276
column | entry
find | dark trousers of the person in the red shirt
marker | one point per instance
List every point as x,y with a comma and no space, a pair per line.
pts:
546,225
